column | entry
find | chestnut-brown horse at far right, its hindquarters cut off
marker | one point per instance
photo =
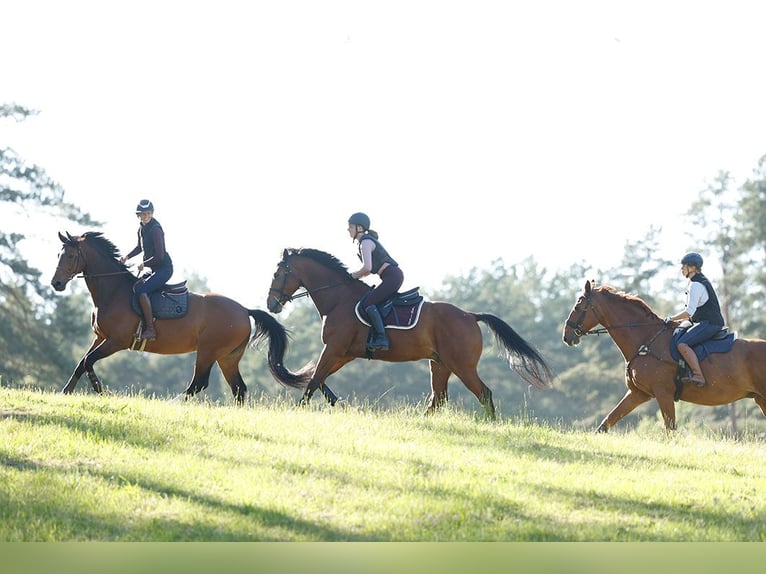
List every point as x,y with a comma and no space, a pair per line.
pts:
644,341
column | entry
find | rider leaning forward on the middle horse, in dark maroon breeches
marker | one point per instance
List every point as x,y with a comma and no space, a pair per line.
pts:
375,259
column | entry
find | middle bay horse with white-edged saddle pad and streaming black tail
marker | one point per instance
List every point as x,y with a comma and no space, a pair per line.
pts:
447,336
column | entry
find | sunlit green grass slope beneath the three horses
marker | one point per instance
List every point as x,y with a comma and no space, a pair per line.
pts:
128,468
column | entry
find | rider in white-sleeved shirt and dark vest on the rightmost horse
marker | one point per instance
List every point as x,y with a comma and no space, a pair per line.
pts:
702,309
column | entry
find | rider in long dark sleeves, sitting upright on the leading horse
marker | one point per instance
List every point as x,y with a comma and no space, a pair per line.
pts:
151,240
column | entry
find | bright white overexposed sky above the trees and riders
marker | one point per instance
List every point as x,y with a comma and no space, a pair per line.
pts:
469,131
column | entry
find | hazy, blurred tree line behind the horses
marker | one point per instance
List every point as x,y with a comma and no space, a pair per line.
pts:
43,336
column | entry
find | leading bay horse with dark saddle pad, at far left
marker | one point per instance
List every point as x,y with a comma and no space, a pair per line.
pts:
217,327
